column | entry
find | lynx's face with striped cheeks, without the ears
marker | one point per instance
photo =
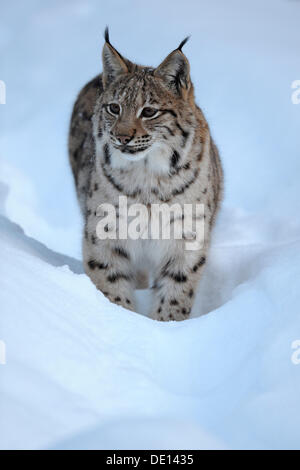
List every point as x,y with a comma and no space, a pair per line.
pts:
139,112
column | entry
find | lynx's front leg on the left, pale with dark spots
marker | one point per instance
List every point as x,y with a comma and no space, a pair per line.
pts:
108,265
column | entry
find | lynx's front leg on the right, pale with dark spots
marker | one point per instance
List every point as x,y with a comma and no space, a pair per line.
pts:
175,286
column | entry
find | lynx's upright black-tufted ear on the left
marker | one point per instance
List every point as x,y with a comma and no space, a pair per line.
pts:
113,63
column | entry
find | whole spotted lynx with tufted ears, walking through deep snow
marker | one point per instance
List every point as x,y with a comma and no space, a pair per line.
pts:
137,132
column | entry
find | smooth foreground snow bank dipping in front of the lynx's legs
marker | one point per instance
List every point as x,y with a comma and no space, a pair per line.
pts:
74,360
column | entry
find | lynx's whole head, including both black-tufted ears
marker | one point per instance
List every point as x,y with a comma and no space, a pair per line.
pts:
143,109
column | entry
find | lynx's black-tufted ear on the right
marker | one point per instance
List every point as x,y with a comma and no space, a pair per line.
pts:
175,71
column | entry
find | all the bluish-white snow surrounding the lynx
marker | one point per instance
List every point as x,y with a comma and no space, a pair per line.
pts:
83,373
